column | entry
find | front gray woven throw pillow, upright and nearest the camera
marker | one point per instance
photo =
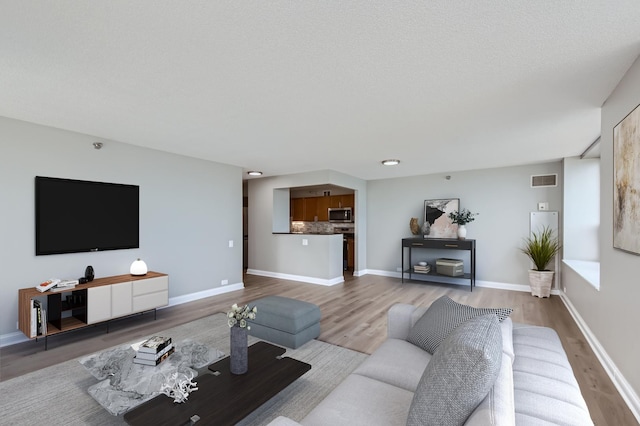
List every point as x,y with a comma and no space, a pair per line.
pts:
459,375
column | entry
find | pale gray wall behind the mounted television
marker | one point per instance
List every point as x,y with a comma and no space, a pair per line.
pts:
189,210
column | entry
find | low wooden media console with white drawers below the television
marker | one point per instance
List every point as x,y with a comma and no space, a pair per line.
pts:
95,302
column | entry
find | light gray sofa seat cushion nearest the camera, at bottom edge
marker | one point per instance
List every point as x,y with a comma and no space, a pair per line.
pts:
361,401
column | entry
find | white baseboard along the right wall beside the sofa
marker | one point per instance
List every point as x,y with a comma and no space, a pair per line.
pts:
625,389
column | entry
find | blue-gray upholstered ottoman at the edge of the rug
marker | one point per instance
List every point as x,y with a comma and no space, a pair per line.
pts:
286,322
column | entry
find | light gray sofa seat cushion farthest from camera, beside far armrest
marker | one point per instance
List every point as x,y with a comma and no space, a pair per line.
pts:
396,362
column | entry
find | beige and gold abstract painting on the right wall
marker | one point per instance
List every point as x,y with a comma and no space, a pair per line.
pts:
626,183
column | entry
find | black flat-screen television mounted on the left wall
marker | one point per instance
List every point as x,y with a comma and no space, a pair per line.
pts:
75,216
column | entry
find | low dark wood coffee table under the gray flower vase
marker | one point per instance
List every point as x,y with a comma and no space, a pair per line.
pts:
223,398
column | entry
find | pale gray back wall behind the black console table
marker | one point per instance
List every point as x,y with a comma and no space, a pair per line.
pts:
502,197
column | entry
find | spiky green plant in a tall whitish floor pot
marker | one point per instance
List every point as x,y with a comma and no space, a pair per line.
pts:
541,247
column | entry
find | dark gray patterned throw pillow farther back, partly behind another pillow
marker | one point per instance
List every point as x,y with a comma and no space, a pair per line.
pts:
442,317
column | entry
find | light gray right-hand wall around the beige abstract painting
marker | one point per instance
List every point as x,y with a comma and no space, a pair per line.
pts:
612,314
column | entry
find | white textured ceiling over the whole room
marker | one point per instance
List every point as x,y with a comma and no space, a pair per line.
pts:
287,86
